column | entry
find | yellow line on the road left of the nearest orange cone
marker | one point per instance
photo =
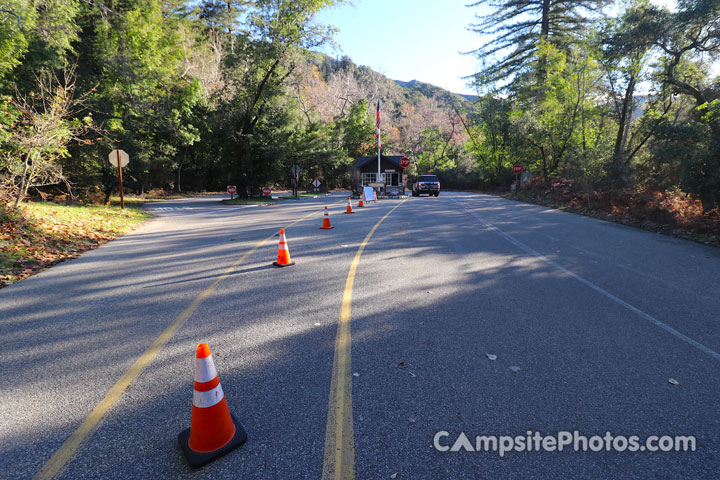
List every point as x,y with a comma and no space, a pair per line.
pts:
68,449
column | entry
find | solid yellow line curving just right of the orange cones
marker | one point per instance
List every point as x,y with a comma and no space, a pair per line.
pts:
339,458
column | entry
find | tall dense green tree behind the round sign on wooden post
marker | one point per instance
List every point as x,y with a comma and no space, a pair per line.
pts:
133,52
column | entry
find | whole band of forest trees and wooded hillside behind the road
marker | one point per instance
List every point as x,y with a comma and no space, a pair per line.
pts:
202,94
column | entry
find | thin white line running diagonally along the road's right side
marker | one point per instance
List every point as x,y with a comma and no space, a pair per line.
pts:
598,289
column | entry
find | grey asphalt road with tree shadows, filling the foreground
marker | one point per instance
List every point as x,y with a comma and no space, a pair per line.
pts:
469,313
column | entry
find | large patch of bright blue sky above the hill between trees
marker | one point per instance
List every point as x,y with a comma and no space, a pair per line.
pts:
408,39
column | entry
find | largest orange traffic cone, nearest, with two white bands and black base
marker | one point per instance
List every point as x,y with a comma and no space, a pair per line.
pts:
213,431
